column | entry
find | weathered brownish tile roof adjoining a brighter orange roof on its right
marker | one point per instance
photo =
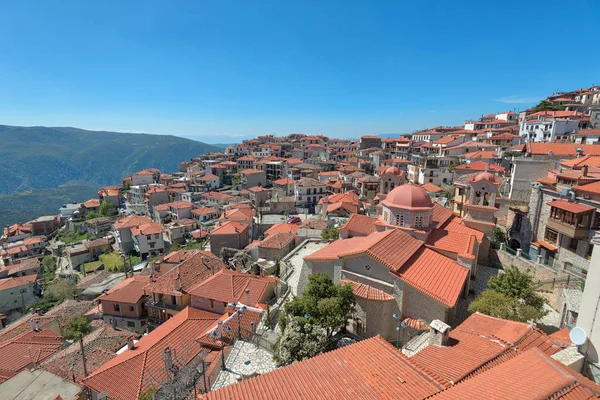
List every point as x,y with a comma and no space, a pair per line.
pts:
191,272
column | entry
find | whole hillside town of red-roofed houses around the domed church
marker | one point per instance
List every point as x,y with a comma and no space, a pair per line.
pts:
304,266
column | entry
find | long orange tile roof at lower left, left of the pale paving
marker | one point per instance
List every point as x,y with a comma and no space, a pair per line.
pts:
135,371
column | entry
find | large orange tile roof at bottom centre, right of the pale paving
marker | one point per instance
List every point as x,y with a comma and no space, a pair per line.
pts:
361,371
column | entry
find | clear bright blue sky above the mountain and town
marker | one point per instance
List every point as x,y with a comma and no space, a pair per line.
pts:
220,71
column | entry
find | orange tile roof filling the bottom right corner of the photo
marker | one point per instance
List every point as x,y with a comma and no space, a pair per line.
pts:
540,377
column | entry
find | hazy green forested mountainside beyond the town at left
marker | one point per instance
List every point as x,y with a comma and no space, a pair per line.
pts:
41,157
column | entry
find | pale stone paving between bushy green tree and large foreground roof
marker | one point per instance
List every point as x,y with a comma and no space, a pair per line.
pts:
244,361
